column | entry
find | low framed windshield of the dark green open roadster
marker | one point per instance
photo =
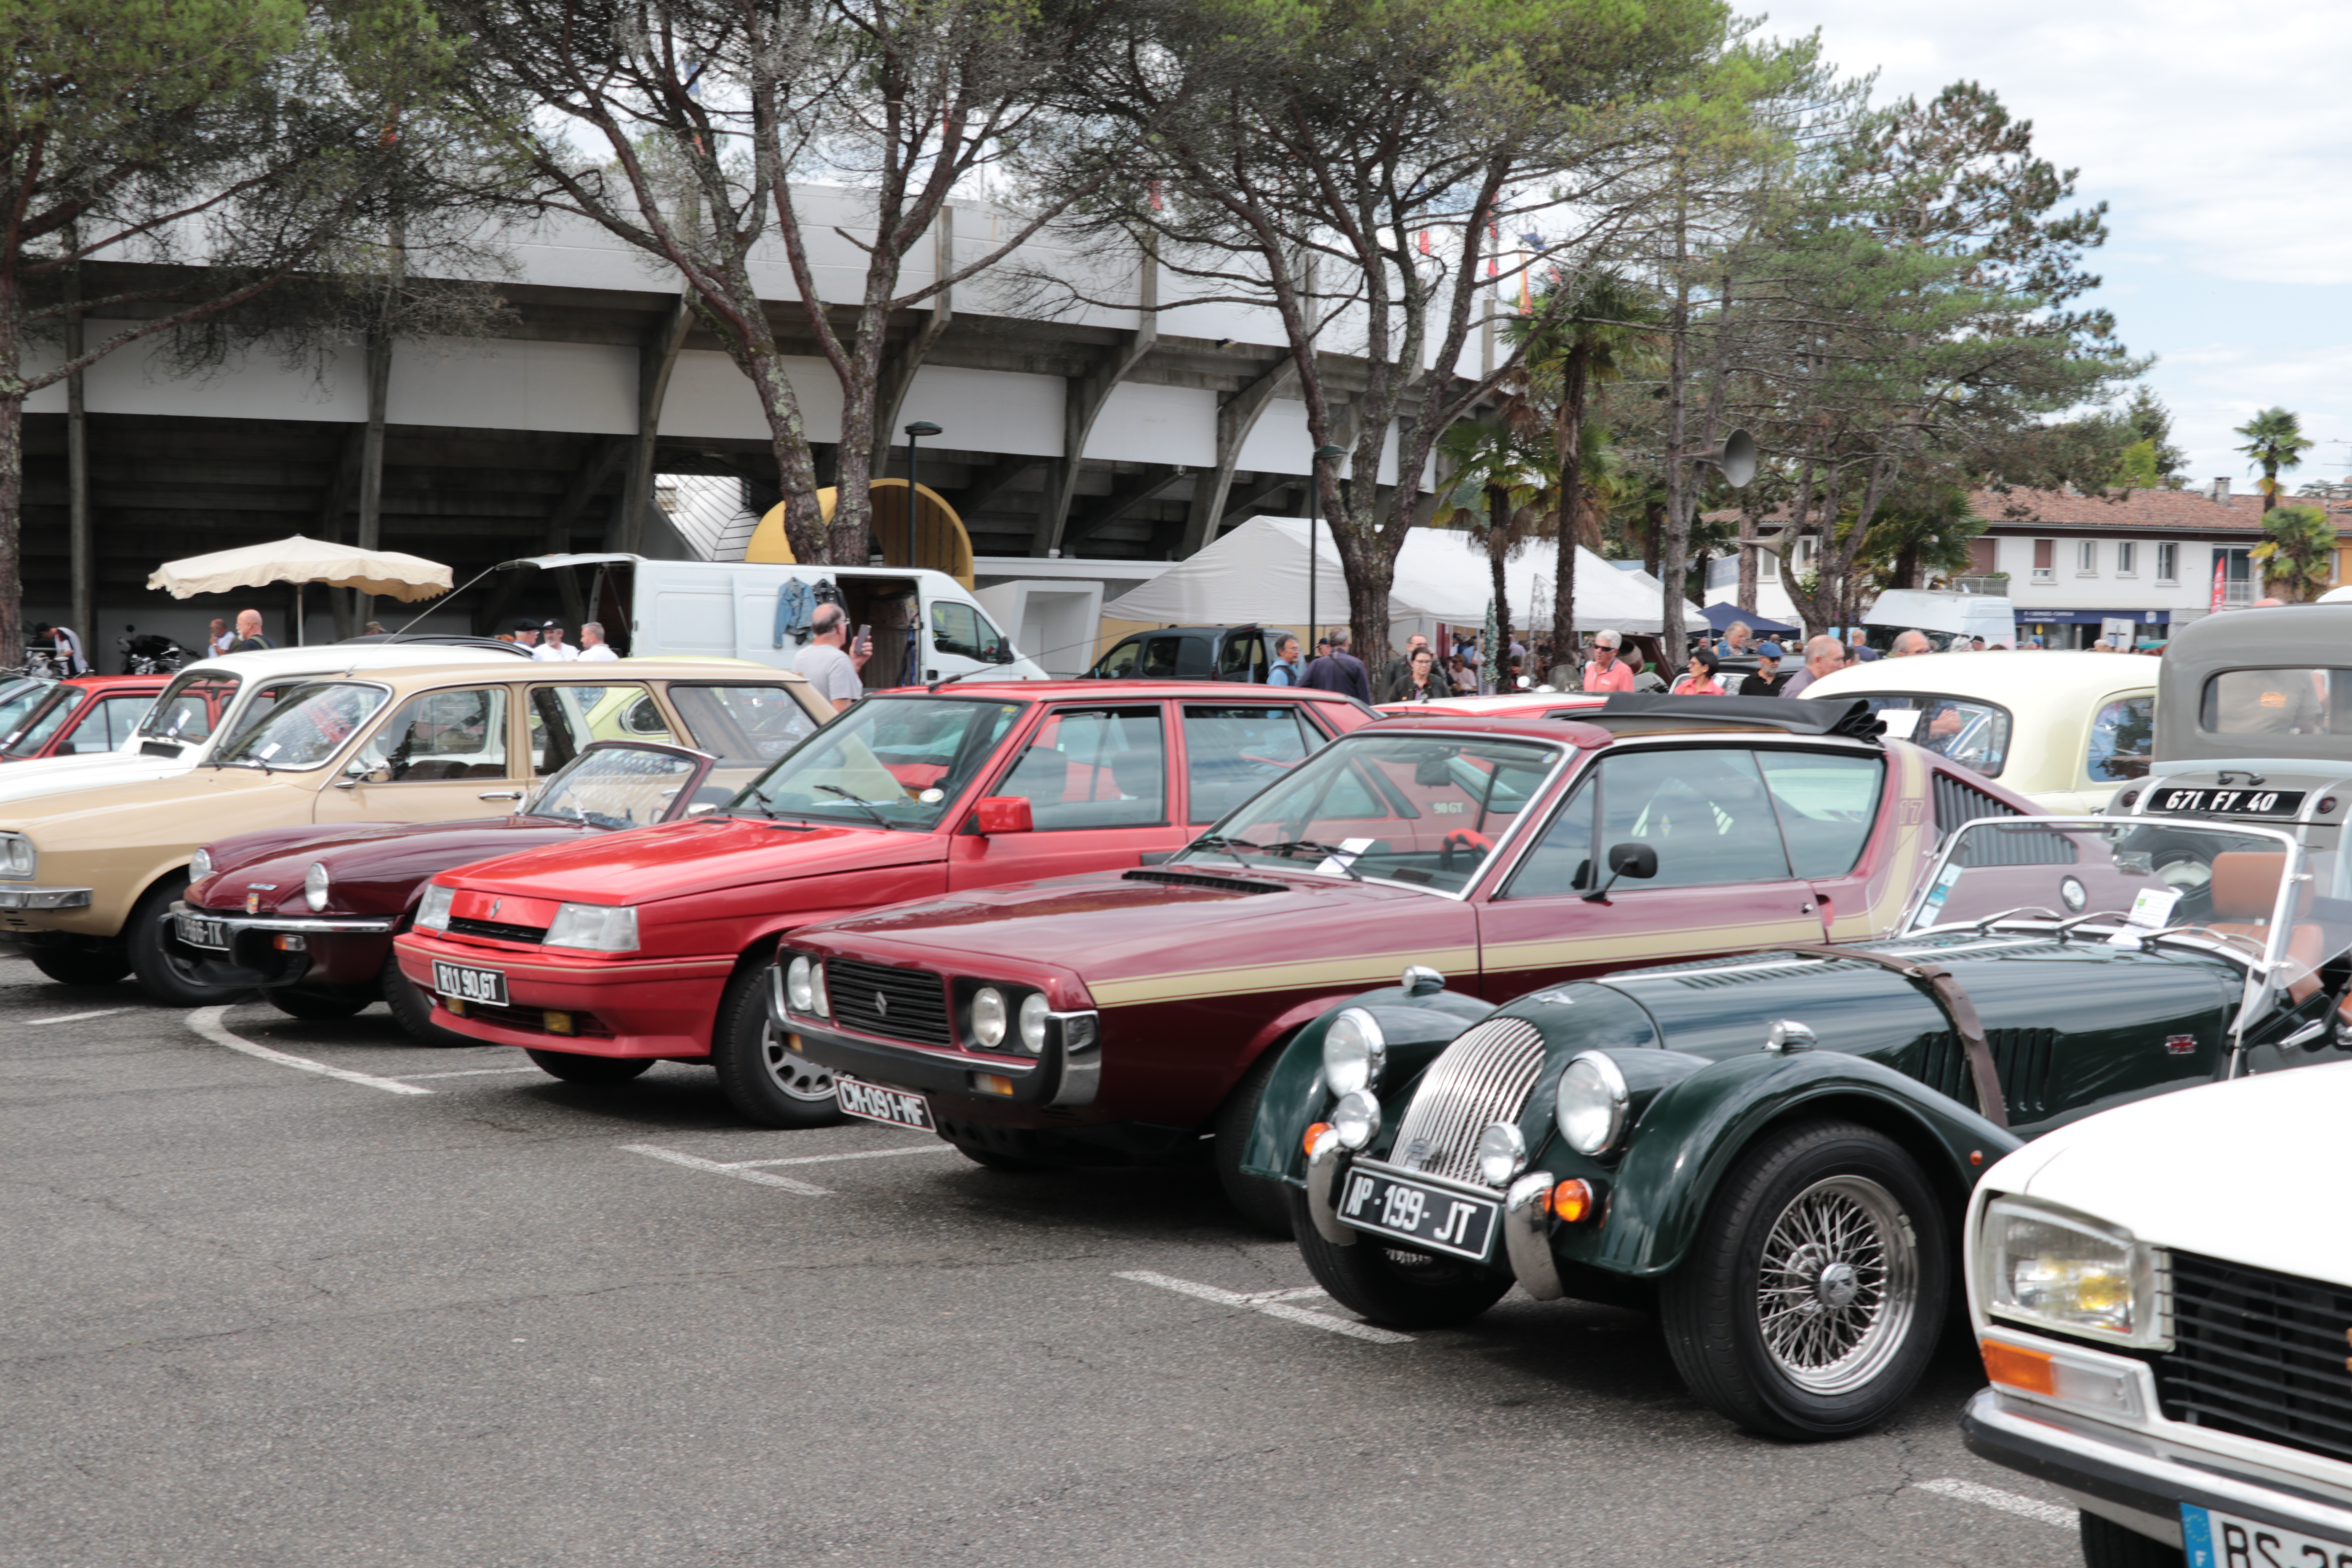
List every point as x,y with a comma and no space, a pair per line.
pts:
2252,894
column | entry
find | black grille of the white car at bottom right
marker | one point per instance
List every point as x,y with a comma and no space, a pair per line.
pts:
2259,1355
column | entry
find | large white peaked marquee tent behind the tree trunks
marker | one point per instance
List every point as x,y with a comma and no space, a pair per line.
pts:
1259,572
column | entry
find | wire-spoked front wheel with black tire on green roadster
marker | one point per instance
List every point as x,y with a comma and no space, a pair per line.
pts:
1859,1320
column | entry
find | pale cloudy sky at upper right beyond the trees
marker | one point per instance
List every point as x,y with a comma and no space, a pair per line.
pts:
2217,135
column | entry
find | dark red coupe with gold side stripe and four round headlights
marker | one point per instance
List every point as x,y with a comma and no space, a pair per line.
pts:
1125,1017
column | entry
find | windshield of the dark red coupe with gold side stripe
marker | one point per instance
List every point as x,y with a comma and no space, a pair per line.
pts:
1415,810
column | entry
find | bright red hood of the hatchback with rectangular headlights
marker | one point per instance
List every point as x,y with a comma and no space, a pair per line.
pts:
695,857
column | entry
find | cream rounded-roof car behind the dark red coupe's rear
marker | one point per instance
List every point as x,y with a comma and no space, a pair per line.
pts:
2066,730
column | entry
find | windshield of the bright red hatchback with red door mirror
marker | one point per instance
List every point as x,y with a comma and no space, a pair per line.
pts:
890,763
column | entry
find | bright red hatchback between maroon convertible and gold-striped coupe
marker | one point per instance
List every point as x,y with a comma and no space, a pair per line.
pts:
613,953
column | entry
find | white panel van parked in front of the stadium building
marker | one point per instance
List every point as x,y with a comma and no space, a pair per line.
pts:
926,624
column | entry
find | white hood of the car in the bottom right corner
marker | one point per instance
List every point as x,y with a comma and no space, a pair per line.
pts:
2233,1172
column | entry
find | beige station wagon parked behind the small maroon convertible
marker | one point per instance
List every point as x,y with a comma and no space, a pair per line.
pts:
88,878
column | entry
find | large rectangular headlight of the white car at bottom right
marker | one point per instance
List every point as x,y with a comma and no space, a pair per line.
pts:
2064,1271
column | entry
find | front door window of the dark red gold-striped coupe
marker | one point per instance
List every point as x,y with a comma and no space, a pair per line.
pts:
1704,812
